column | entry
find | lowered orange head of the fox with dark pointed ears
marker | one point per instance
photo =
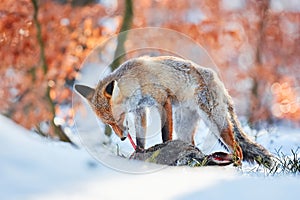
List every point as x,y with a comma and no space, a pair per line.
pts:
101,100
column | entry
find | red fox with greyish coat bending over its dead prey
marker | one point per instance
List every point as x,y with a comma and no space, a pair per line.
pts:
179,89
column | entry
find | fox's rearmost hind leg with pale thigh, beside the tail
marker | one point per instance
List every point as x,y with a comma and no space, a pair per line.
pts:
213,101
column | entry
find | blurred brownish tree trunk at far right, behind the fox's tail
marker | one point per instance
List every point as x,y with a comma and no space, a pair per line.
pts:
257,107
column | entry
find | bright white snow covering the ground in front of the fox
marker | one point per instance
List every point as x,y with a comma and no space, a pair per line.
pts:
37,168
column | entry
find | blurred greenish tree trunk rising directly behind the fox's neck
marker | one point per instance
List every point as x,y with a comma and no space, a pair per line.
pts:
120,49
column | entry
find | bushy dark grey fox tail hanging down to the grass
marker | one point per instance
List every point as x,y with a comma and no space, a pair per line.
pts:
252,151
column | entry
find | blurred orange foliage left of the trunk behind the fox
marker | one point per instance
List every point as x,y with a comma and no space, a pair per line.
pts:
69,34
